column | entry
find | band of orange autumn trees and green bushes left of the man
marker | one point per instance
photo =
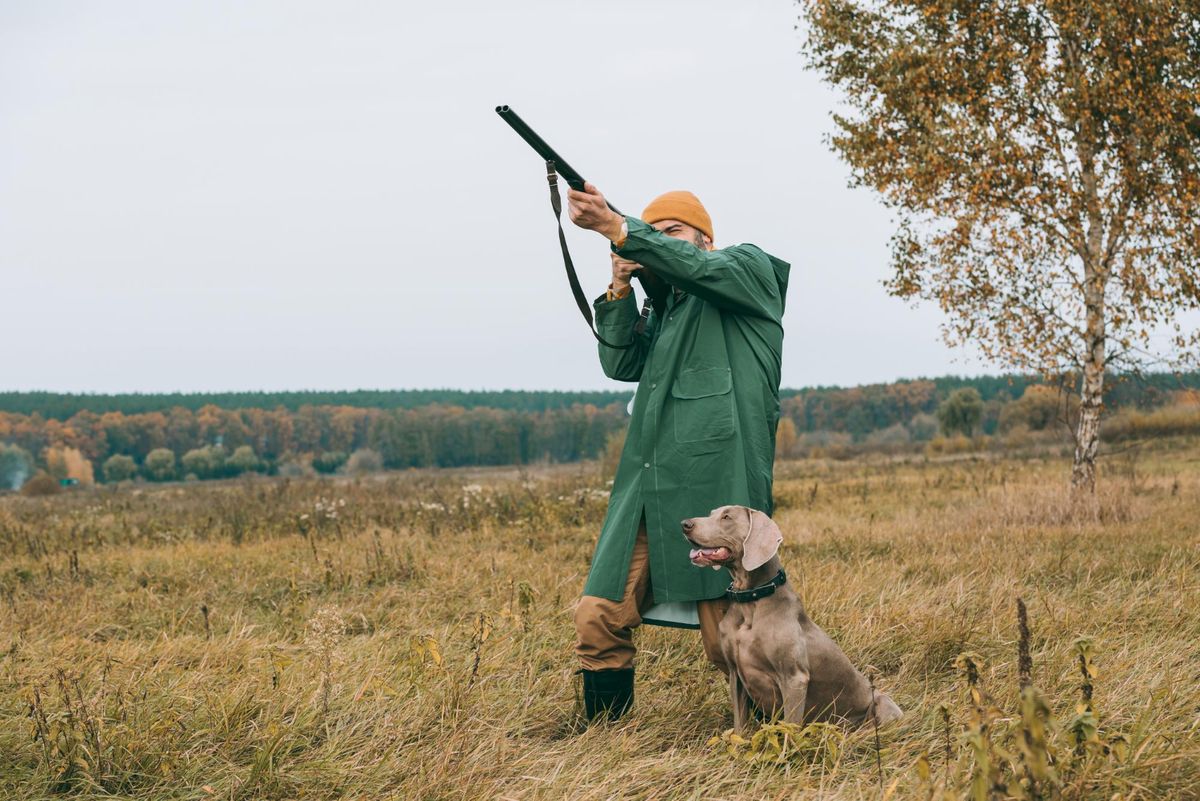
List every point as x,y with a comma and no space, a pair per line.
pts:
205,443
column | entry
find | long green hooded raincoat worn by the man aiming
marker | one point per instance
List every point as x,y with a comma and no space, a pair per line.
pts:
703,432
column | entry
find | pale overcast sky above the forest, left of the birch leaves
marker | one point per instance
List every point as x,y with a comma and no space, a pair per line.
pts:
296,195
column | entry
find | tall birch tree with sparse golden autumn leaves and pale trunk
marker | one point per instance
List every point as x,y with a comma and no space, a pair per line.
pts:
1041,160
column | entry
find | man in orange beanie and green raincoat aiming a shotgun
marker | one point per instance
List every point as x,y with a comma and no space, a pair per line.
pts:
703,432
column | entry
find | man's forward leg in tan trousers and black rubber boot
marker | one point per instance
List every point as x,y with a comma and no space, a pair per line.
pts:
605,642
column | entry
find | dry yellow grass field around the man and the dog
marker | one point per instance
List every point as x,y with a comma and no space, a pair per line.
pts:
409,637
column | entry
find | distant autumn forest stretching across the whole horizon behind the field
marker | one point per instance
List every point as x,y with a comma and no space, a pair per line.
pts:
166,437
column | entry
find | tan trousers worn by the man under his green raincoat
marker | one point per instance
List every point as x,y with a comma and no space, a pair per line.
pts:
604,628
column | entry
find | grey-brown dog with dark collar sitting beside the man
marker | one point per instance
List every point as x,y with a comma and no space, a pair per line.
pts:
778,658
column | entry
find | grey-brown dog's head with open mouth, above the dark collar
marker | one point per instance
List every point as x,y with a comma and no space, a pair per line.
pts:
733,537
